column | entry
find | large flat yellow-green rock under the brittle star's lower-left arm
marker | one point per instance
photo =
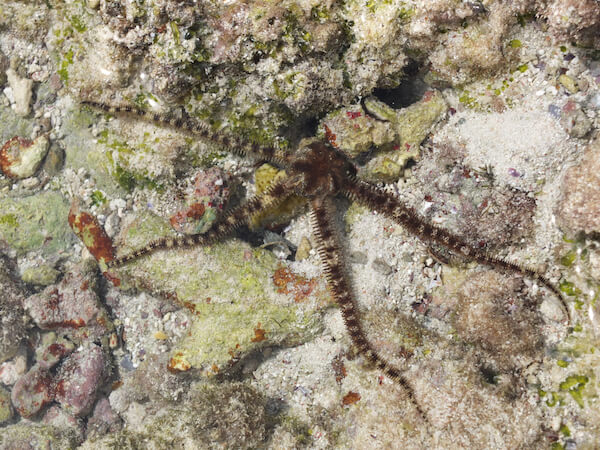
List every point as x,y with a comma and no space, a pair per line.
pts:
228,289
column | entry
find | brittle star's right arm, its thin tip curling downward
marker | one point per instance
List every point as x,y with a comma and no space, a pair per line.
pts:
390,206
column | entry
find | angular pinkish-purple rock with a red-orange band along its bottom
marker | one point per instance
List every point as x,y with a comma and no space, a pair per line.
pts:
71,306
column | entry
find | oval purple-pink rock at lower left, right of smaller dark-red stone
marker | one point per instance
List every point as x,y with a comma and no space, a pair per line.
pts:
79,378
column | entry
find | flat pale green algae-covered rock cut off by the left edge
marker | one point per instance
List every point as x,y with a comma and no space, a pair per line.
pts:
36,223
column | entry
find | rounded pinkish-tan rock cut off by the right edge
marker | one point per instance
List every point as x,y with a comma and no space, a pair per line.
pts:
579,207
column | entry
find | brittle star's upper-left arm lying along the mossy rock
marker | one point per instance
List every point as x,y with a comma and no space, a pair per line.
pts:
231,144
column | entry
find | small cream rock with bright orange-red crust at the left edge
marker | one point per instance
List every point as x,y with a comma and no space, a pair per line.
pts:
21,158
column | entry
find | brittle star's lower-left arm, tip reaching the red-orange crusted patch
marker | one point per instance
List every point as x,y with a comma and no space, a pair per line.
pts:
225,226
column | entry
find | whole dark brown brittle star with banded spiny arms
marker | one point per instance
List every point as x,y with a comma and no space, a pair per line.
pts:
318,173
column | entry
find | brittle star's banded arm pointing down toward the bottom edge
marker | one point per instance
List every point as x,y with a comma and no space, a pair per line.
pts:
335,273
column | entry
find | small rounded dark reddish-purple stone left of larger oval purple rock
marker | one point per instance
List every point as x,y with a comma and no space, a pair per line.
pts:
32,391
